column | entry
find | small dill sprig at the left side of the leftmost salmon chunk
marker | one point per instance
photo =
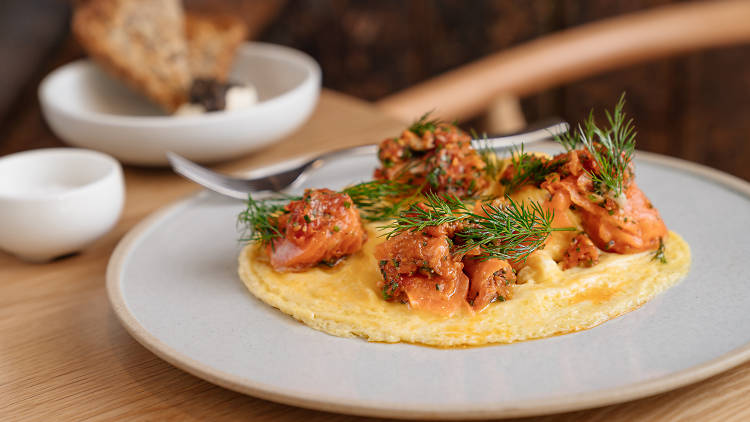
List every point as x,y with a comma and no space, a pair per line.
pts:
260,220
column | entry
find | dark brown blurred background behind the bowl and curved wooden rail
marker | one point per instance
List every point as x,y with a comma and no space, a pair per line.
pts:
693,106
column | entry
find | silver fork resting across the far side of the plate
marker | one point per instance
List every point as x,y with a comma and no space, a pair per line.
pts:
239,188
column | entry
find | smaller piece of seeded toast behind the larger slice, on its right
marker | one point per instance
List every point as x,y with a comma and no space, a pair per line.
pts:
212,43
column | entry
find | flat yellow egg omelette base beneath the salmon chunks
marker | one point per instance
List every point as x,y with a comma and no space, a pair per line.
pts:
345,301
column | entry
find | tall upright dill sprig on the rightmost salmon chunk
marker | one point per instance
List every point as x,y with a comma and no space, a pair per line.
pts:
611,148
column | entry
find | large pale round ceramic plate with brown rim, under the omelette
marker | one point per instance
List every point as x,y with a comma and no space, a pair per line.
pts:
172,282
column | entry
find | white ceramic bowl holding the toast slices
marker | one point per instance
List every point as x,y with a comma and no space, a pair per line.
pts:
87,108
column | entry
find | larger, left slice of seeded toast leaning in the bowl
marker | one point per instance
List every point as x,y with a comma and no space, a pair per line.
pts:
141,42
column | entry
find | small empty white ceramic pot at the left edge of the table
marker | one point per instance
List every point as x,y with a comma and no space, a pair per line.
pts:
56,201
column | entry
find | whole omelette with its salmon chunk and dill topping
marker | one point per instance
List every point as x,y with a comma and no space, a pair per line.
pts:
452,246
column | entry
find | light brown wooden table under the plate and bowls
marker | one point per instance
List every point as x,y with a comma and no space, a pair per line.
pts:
64,355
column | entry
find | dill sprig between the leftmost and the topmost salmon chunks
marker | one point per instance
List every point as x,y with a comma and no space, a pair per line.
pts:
379,200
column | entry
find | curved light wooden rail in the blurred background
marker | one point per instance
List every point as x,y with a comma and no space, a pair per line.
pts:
575,54
